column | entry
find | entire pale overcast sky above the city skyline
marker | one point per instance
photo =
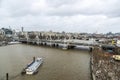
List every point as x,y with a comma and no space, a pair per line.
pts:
61,15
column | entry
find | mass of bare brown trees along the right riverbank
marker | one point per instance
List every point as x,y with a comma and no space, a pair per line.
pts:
103,67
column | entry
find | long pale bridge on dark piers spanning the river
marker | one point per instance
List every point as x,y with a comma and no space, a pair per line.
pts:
55,40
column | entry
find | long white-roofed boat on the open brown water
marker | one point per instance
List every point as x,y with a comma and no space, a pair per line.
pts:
32,68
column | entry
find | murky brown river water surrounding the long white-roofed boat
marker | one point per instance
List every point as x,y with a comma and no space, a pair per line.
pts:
58,64
